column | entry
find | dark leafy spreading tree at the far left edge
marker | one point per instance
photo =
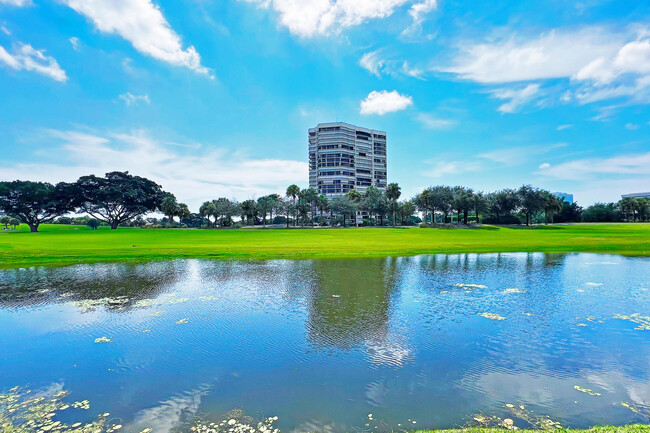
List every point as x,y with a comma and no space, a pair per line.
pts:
35,203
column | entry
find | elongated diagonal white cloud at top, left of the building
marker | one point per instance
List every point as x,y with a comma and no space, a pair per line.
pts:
142,23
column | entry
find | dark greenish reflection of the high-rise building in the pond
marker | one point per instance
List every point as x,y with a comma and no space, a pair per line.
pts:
350,303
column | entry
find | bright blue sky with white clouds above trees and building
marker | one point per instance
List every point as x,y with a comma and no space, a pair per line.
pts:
214,98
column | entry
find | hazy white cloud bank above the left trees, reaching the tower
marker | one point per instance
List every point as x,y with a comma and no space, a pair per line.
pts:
191,172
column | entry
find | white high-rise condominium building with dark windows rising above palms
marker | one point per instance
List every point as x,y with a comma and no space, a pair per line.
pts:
343,157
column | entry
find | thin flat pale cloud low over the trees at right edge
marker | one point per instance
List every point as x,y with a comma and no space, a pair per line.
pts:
632,164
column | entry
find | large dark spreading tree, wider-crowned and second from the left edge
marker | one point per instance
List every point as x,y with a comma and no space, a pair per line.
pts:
117,198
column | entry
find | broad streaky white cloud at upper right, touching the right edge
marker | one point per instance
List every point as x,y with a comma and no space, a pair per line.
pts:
600,63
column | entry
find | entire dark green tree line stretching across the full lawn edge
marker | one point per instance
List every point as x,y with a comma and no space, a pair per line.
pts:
120,198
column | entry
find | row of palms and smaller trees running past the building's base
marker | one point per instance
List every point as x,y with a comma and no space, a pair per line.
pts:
438,204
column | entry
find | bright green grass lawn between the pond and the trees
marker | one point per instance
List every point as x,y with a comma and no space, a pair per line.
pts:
64,245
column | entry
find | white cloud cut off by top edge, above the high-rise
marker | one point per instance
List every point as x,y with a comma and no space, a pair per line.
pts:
309,18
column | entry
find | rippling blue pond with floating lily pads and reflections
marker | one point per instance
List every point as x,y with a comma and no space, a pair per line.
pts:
337,345
